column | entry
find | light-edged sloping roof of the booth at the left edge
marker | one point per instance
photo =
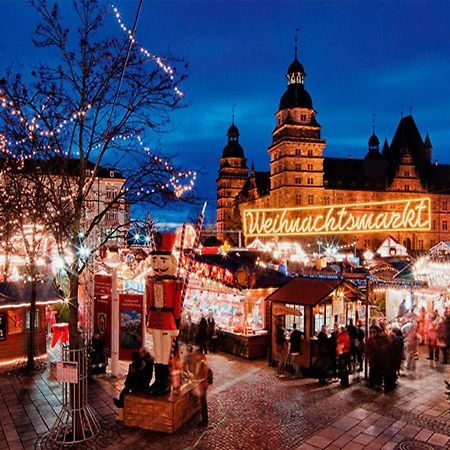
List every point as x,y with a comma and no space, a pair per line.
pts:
19,293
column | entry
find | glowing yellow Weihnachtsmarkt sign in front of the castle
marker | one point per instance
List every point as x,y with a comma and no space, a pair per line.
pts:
370,217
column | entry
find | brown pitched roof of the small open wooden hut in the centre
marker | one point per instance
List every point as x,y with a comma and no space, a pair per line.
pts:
311,291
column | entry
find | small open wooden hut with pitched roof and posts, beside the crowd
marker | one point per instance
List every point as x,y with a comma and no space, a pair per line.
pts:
310,302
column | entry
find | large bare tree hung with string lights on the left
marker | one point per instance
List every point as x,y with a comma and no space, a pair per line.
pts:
86,113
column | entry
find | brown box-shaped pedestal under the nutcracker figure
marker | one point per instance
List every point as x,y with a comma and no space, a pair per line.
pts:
165,414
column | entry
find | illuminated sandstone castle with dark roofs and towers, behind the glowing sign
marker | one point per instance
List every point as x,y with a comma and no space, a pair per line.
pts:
301,176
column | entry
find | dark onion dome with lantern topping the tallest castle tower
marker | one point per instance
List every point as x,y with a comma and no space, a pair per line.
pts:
296,96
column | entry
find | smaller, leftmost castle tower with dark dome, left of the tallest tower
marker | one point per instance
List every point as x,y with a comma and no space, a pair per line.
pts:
233,174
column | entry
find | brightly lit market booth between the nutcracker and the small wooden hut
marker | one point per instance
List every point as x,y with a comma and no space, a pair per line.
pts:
232,289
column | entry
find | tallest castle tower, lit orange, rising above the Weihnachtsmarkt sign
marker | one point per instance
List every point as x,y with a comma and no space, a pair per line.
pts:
296,153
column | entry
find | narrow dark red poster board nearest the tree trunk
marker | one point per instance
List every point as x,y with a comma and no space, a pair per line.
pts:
103,308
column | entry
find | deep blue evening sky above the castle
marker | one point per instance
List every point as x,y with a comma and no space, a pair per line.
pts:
361,58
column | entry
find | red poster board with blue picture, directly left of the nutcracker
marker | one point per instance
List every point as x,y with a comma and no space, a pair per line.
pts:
131,321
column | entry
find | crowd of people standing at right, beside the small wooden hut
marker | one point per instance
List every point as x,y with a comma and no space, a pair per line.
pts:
389,348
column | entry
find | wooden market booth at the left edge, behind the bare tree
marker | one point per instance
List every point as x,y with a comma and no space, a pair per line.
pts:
15,318
